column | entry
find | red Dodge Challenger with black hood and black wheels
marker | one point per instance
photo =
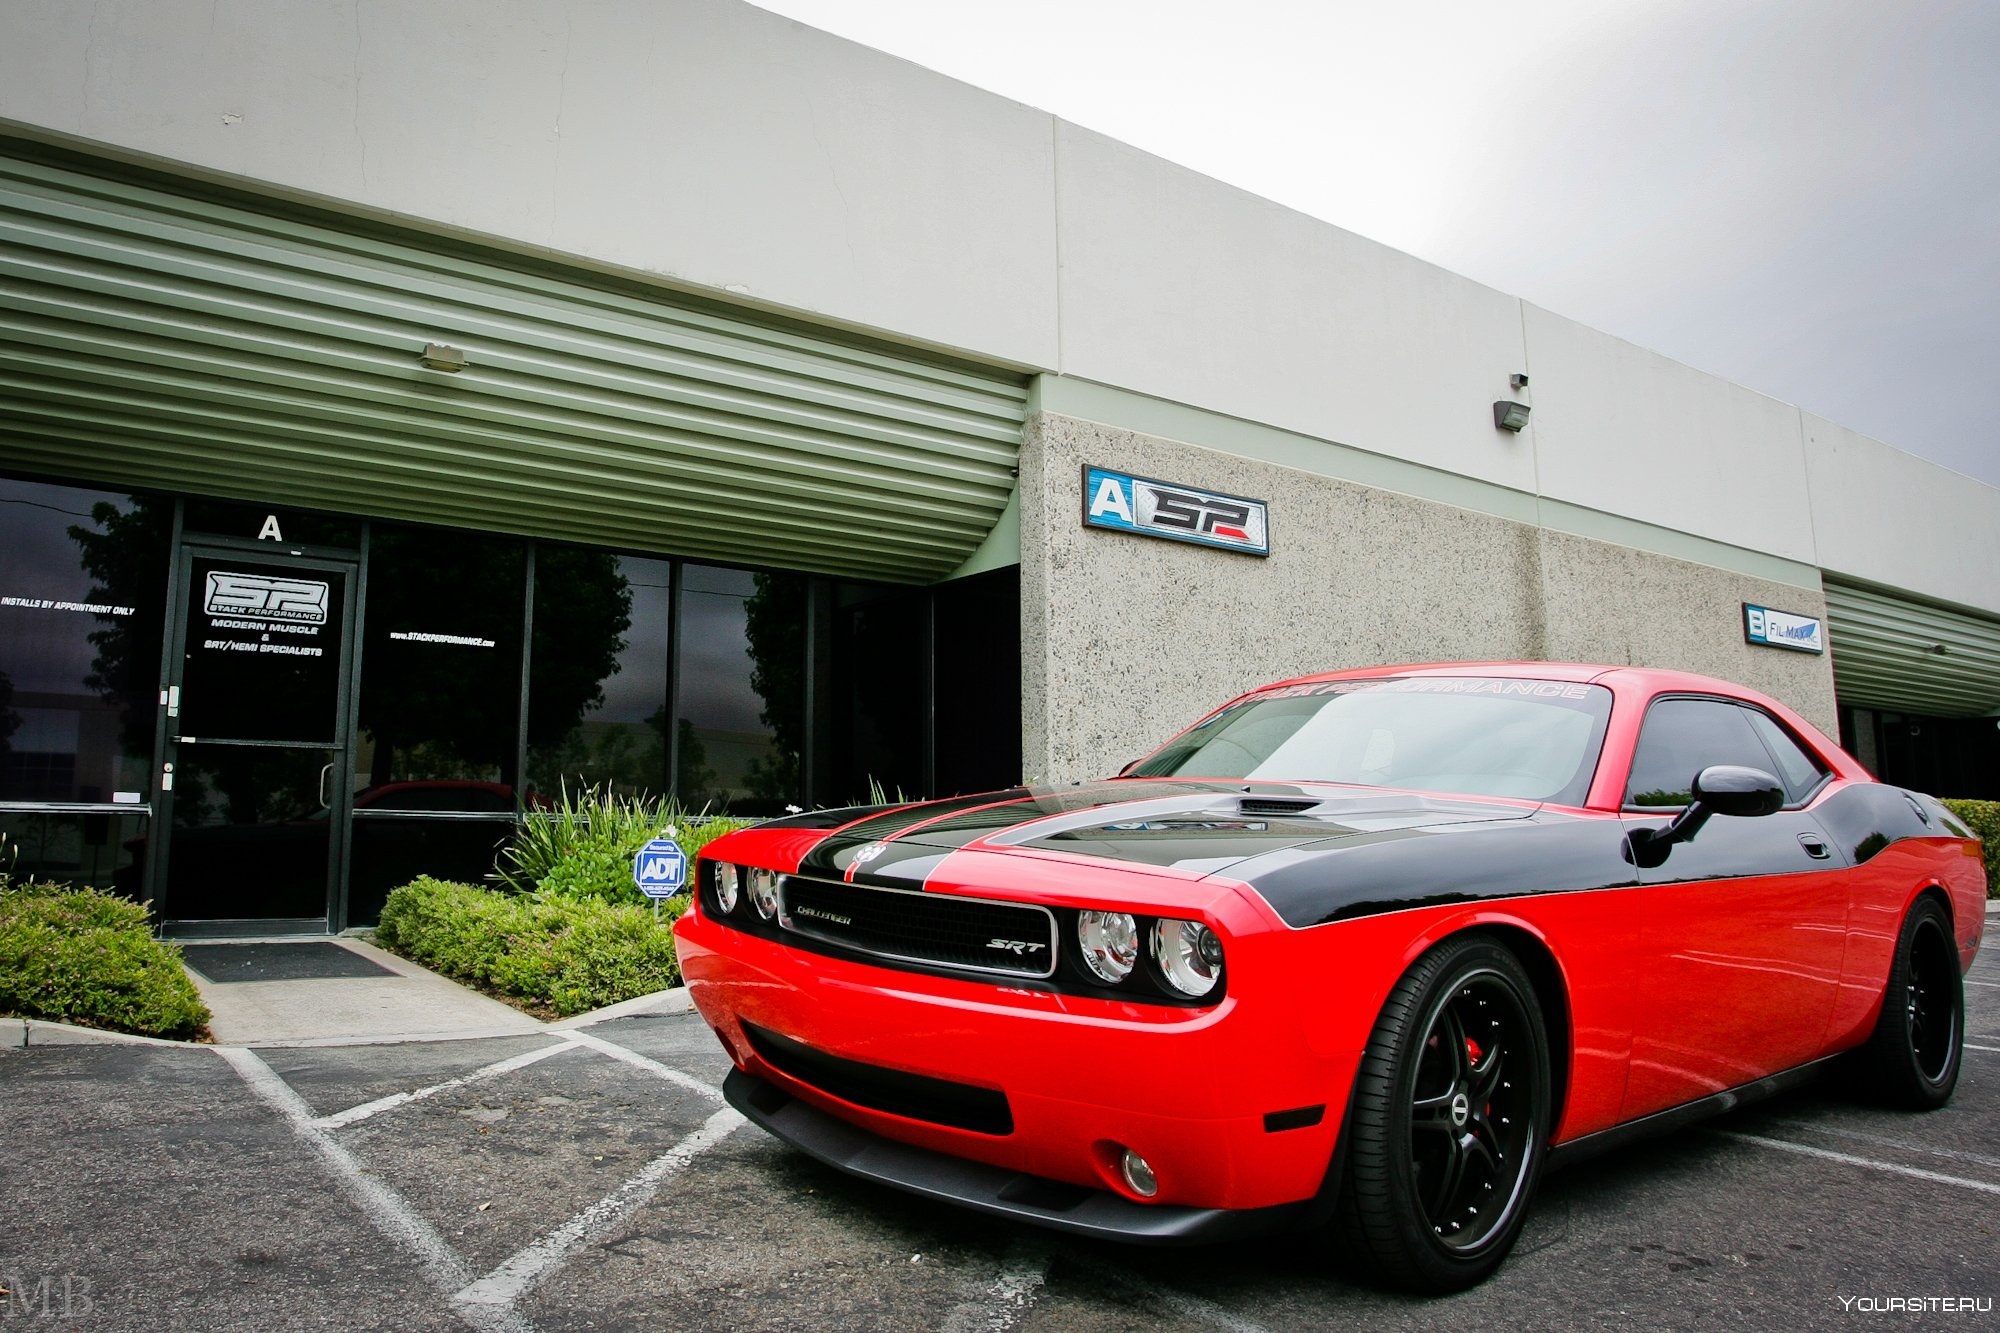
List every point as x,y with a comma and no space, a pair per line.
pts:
1371,950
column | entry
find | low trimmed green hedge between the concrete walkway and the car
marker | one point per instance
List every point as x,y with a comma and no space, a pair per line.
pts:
545,952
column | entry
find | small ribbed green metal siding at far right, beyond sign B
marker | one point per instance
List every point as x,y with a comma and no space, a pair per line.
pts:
1887,655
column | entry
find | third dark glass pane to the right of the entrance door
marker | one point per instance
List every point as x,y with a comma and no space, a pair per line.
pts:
743,690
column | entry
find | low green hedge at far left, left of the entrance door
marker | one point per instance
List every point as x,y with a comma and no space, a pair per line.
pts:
87,958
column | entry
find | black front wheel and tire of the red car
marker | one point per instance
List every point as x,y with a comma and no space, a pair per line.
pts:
1451,1122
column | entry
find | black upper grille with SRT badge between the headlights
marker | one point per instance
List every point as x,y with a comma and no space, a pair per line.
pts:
1011,940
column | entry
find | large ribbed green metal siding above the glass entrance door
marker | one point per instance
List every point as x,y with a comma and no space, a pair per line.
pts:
163,339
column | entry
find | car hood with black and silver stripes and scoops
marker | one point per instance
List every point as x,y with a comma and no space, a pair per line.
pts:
1195,828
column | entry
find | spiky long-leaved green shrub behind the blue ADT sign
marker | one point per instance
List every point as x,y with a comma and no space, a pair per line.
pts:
585,846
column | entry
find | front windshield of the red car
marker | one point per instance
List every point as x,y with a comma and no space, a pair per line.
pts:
1469,736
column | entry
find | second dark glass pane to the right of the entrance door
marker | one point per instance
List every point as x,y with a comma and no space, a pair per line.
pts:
597,692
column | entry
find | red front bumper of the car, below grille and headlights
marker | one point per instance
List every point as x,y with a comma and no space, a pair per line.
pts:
1237,1108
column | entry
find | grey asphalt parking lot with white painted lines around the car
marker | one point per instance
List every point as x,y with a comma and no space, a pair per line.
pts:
593,1180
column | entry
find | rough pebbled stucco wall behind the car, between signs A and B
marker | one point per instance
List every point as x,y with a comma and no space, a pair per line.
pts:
1127,639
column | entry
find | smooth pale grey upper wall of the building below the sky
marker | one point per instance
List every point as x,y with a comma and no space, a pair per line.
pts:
723,149
